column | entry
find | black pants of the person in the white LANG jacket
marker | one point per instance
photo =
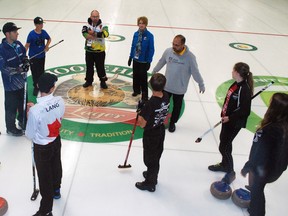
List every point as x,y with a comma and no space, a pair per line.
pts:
49,168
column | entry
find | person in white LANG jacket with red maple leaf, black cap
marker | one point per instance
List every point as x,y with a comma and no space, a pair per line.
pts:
43,128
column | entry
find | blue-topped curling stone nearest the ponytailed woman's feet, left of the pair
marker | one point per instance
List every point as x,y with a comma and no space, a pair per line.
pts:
220,190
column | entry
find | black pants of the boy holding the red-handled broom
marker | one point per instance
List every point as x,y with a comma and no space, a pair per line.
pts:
153,141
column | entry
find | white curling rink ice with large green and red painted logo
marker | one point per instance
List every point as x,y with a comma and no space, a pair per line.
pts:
220,33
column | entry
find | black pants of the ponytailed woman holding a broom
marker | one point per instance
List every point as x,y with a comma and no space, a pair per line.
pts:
228,132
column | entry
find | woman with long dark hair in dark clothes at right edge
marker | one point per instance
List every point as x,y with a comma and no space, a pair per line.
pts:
268,156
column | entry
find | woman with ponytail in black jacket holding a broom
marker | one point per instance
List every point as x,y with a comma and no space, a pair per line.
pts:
234,114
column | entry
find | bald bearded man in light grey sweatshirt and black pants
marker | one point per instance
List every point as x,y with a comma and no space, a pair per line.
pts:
181,65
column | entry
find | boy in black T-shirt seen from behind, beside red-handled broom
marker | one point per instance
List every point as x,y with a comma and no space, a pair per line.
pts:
151,118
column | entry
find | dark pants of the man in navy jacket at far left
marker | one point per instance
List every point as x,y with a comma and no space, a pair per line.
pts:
14,104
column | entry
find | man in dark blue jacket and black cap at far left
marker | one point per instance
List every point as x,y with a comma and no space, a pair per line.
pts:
14,66
